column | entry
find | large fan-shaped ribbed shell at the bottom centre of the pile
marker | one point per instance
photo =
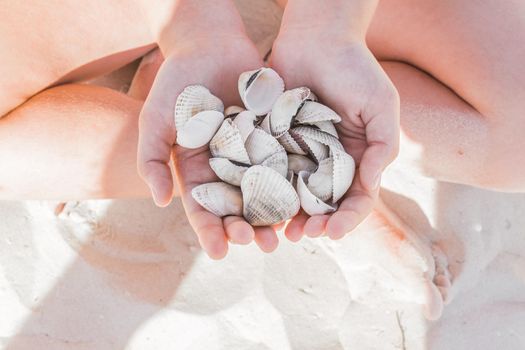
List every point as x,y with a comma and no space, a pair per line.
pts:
268,197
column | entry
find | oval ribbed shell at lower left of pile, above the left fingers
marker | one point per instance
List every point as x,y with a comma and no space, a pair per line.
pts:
219,198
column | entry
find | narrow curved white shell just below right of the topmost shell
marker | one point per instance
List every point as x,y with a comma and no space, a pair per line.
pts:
285,109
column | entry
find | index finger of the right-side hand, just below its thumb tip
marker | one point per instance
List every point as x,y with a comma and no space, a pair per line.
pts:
354,208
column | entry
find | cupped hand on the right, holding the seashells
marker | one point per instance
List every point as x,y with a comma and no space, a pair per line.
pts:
347,78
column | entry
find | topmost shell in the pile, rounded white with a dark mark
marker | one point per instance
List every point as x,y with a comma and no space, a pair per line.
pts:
260,89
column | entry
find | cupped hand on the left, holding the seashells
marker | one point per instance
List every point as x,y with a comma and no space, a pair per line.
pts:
214,61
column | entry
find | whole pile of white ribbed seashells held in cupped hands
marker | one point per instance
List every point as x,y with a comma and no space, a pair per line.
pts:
279,154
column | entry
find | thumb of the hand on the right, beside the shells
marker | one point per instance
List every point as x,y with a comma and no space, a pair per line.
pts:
382,135
